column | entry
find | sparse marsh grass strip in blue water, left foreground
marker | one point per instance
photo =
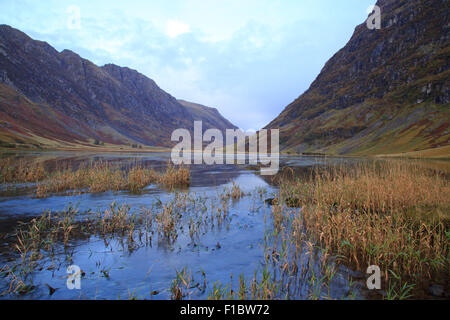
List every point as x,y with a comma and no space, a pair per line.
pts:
46,237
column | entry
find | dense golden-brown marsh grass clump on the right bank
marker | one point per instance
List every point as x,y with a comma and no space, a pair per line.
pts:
393,214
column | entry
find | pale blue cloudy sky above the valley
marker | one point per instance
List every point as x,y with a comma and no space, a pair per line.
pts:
247,58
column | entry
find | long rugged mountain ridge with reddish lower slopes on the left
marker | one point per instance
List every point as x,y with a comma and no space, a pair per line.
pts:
51,98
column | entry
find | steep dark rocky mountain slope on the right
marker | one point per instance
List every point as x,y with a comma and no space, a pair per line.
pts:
385,92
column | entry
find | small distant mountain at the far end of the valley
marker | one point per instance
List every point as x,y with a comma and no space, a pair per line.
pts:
210,116
